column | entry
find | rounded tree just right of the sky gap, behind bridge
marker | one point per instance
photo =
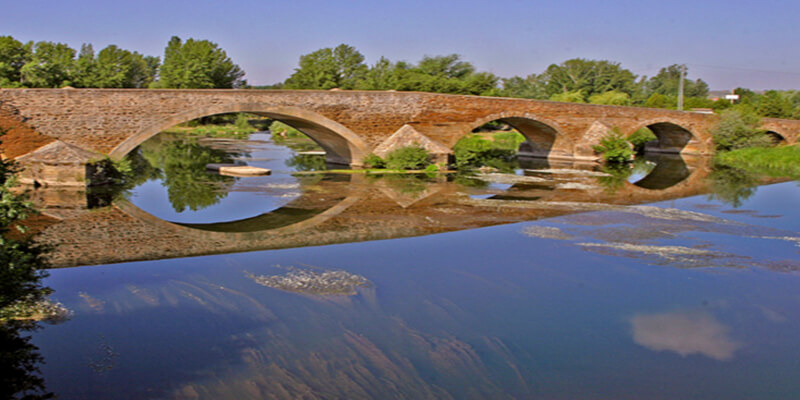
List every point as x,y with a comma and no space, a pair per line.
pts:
342,67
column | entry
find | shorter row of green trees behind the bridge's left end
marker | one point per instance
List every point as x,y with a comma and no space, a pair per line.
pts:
190,64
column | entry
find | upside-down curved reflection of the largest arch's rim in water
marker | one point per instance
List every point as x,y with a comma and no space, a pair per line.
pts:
302,213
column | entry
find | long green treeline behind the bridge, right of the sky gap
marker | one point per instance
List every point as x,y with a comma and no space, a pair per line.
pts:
576,80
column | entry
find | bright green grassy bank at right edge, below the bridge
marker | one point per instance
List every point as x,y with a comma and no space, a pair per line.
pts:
781,161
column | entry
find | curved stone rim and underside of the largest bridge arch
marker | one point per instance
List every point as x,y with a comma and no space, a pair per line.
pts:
341,145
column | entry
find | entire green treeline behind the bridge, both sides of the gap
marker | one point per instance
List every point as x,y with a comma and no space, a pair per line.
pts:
199,64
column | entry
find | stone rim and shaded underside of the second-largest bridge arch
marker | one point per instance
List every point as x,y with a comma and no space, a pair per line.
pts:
544,137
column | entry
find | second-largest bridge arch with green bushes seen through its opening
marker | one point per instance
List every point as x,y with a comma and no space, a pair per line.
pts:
512,136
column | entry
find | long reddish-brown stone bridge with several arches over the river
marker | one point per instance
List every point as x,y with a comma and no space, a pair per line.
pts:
61,126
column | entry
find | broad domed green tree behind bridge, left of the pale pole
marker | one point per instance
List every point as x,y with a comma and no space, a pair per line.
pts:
588,77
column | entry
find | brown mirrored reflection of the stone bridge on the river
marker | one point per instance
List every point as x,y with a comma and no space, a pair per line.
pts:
353,208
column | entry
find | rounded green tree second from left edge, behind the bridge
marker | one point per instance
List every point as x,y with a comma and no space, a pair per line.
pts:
50,66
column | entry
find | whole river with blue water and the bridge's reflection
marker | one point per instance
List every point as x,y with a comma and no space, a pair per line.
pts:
674,280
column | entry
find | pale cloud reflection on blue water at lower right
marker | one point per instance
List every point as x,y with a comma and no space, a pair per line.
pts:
685,333
